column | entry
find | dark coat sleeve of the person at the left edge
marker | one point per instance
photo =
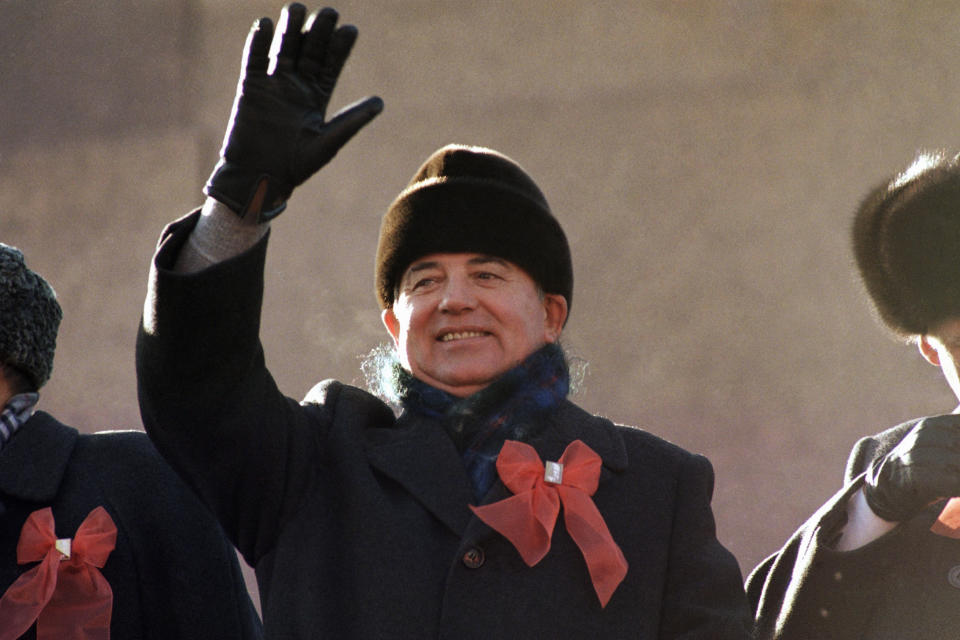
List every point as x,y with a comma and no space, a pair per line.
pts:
189,582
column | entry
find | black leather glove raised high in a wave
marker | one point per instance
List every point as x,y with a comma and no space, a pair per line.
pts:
278,136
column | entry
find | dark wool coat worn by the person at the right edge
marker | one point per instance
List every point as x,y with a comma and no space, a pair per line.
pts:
903,585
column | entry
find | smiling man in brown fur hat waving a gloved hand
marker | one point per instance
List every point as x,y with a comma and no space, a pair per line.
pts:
431,510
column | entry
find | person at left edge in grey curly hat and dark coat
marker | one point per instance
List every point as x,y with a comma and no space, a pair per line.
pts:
104,507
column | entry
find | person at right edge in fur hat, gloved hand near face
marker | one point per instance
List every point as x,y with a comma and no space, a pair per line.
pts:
881,559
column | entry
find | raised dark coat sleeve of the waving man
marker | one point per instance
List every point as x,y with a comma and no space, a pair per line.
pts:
208,401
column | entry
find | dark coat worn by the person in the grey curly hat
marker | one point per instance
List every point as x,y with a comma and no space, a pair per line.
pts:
173,574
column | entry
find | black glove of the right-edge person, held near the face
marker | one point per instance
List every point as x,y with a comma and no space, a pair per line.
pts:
922,468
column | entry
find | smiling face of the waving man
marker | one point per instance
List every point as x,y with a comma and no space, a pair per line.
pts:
460,320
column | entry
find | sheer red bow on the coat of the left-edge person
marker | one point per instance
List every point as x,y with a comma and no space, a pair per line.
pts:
65,594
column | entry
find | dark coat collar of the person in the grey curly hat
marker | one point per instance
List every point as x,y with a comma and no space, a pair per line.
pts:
33,462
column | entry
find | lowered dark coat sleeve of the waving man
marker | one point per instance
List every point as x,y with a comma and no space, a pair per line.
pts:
704,595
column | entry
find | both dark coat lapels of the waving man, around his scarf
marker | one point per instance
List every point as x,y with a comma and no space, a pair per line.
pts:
419,454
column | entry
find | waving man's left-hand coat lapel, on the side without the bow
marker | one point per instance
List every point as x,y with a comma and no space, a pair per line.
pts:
418,454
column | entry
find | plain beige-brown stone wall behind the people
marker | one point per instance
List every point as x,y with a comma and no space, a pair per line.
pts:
704,158
